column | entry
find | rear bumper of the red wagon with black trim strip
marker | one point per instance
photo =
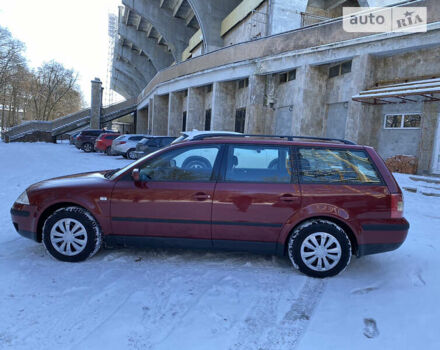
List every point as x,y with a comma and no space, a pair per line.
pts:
382,237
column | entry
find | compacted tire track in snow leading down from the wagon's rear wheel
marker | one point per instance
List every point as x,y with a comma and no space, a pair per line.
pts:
287,334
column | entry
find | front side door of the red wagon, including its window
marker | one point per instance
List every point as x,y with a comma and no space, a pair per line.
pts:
172,200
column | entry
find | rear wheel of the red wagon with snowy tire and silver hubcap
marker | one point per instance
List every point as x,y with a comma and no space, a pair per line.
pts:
334,248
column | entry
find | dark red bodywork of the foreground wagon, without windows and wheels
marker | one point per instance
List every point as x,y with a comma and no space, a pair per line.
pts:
214,214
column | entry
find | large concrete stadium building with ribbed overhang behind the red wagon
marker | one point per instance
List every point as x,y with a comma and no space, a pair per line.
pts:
281,67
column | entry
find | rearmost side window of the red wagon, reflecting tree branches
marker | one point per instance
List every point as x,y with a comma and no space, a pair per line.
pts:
344,166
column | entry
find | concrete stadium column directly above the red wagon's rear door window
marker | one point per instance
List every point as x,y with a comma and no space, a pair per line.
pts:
259,117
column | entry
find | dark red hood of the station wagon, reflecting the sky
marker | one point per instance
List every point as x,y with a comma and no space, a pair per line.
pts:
76,180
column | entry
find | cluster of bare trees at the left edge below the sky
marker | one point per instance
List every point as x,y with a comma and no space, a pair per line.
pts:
45,93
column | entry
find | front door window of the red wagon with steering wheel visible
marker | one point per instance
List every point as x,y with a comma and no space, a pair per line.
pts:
189,164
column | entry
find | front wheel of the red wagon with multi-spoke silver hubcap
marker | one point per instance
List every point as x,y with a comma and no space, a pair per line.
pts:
62,244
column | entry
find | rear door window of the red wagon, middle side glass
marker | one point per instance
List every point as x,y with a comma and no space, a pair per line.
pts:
258,163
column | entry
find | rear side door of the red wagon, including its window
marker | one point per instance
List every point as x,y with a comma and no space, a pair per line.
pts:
255,196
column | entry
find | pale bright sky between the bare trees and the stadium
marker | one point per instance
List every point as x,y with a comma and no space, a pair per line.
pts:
74,33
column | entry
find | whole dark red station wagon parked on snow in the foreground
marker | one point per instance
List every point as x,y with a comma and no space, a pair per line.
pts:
318,201
